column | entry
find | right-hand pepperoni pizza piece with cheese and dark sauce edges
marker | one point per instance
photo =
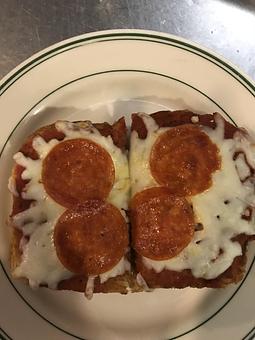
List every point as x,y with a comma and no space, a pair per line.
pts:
192,201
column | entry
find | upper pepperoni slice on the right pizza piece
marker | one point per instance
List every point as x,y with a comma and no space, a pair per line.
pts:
183,159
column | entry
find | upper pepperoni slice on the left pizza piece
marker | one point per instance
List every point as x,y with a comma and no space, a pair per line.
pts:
77,170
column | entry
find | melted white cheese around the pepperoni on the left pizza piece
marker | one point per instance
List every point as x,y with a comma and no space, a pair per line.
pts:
39,263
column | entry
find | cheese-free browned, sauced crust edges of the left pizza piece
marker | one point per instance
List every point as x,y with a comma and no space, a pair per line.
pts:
118,133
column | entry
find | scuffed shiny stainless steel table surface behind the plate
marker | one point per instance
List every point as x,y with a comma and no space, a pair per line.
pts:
227,27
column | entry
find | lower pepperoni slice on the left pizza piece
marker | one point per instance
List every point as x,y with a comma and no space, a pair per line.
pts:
92,239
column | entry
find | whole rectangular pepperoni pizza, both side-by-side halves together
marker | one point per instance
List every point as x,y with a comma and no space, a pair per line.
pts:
170,207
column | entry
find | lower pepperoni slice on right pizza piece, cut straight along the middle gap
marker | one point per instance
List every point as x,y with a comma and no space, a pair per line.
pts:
162,224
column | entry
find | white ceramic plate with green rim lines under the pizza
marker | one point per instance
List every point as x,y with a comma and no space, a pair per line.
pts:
102,76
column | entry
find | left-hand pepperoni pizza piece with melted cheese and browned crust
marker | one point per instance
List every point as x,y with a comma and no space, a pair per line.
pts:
70,188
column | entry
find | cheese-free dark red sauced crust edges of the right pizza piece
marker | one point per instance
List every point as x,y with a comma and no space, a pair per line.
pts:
174,279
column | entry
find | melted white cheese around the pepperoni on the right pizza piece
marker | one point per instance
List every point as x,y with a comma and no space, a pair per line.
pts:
219,209
